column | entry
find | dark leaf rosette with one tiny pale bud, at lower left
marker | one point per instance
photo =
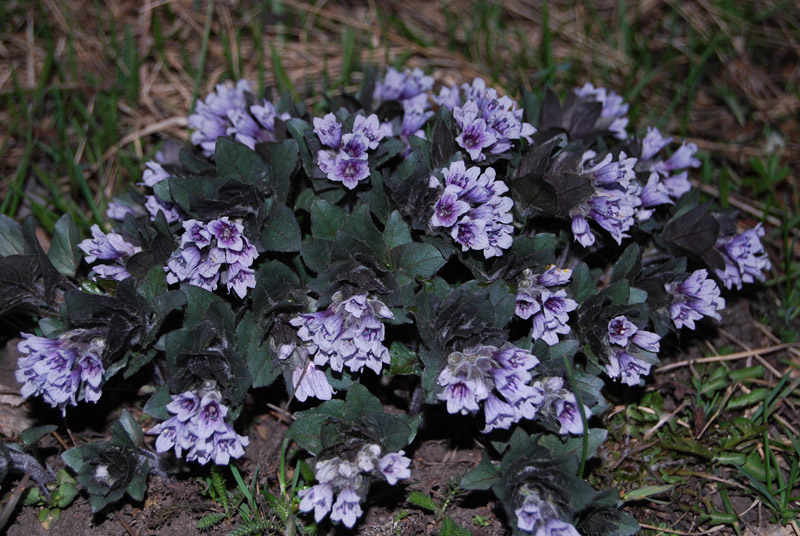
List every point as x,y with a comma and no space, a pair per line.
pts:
107,470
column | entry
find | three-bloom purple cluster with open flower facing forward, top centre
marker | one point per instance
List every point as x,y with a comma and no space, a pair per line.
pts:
345,160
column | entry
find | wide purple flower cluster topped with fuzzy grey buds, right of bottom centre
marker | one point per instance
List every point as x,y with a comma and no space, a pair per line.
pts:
475,374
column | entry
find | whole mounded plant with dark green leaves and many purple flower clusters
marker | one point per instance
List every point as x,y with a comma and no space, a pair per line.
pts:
450,242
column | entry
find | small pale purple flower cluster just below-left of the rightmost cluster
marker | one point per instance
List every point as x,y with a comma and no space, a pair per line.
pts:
693,298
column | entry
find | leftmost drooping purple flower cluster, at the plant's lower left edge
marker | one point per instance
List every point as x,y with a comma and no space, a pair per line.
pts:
61,370
